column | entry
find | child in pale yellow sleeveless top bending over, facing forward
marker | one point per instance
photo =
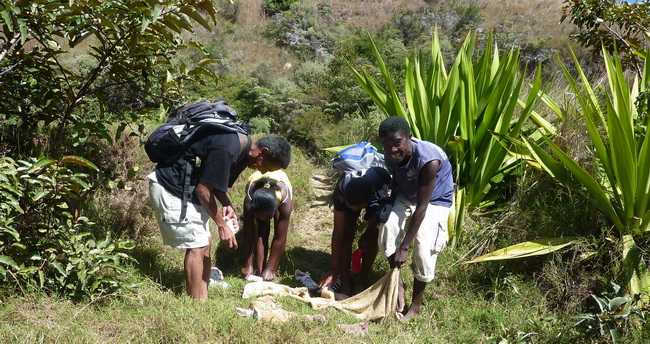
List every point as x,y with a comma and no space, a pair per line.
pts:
269,196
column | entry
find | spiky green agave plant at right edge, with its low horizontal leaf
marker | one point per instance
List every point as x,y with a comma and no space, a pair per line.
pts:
622,190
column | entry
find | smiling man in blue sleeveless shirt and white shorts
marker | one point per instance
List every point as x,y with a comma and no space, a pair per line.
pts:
422,190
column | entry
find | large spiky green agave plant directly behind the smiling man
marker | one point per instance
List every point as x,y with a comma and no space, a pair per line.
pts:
465,111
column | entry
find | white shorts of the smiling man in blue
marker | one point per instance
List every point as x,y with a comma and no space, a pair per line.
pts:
431,237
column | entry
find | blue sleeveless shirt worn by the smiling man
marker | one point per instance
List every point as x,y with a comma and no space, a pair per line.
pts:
406,177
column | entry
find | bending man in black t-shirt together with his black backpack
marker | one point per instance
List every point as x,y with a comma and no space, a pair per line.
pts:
200,152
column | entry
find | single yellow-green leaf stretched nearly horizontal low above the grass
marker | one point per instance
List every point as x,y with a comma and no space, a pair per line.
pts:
526,249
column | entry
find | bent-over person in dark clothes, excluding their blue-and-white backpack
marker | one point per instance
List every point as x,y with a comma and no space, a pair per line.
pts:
355,192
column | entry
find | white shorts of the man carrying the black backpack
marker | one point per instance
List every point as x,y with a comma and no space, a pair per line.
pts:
191,232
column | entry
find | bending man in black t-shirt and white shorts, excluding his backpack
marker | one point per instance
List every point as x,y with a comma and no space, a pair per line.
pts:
223,156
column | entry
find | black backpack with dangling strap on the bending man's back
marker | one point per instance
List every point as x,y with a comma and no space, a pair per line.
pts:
186,125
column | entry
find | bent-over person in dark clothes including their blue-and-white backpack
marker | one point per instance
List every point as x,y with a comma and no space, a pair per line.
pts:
362,186
